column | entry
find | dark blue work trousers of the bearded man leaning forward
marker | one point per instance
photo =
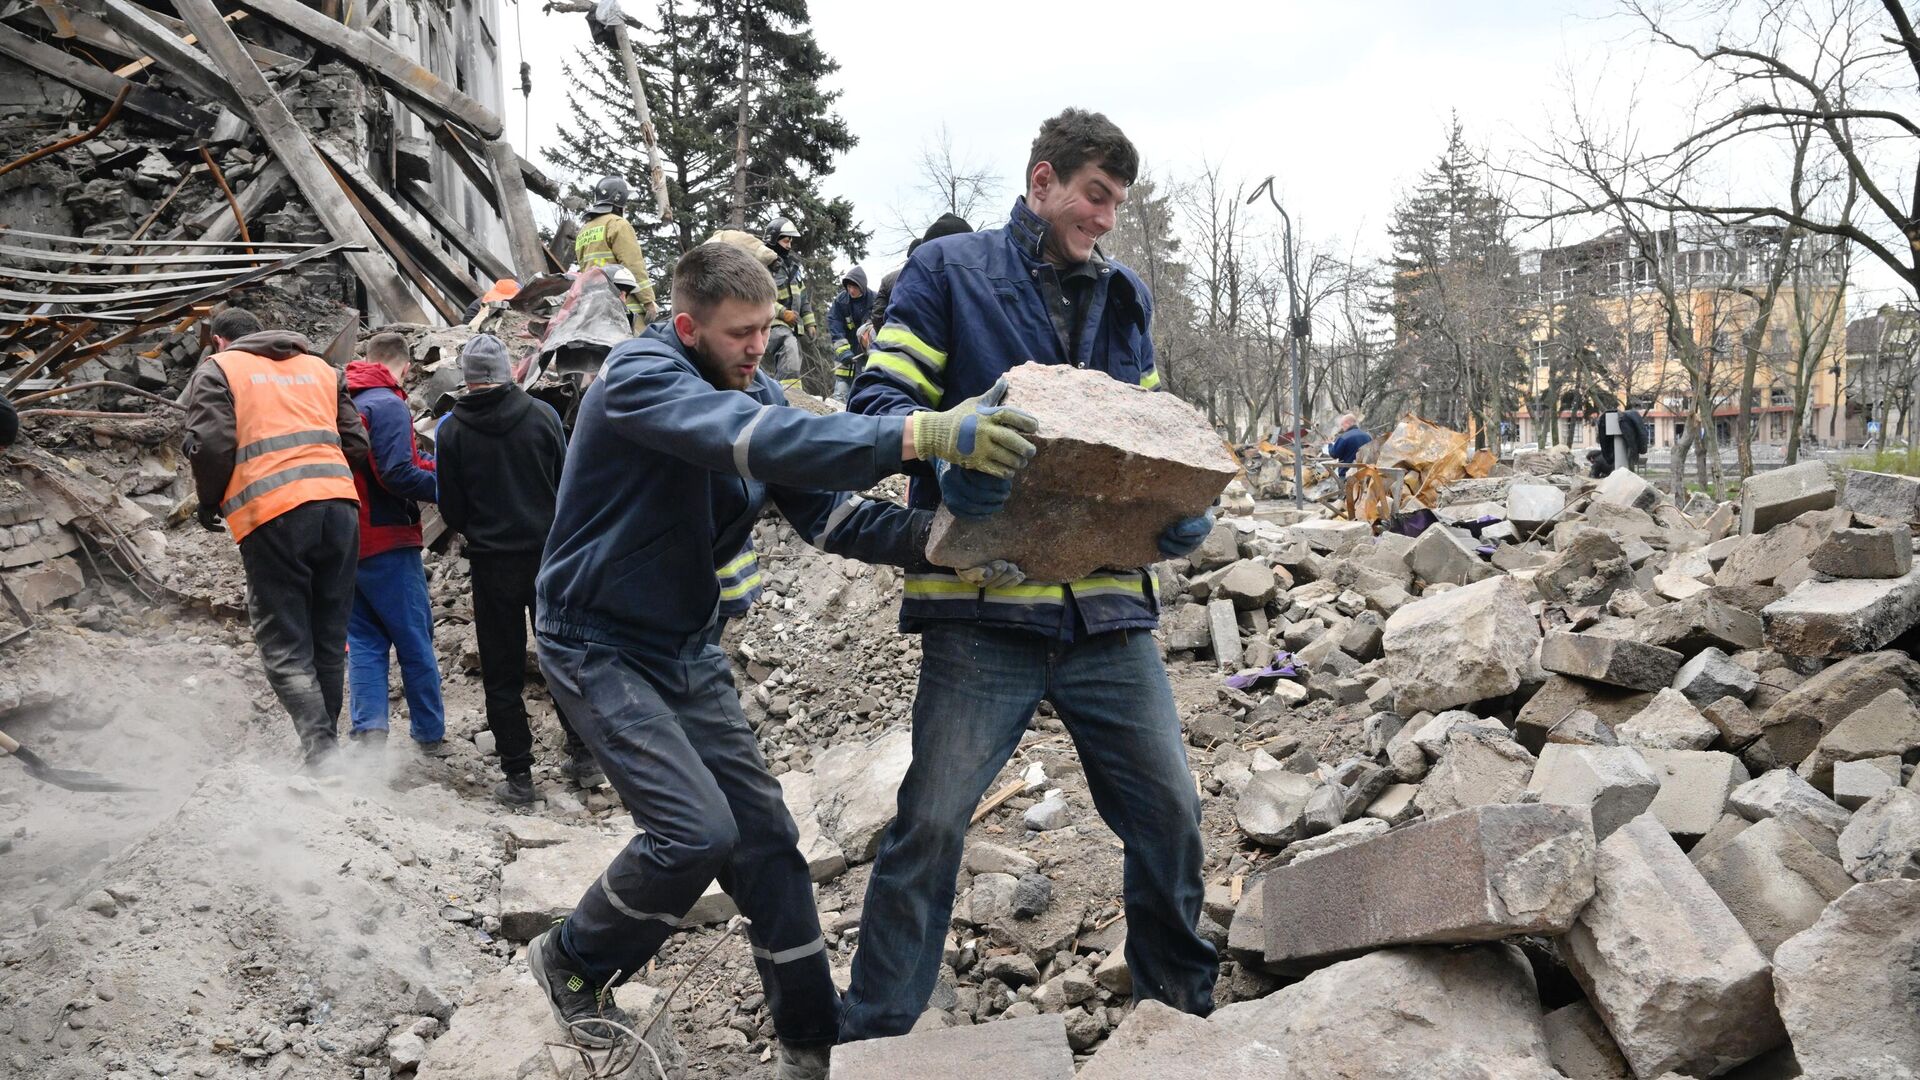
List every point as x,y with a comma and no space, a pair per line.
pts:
673,741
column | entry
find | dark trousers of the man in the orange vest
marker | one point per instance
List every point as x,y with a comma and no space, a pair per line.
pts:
299,597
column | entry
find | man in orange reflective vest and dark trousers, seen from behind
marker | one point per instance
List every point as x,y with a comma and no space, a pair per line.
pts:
274,443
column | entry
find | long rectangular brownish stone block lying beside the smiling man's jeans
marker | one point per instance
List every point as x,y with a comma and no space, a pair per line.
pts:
1477,875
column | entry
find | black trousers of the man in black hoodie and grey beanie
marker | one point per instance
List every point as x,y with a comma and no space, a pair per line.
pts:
504,602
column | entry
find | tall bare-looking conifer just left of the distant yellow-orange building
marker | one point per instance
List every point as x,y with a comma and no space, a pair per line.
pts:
1454,316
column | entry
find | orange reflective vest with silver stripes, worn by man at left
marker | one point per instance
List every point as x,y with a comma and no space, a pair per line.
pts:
287,441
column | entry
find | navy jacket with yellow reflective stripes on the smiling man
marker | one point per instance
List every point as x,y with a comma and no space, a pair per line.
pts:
953,328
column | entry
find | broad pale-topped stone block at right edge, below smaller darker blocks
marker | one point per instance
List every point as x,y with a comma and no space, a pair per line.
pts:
1842,618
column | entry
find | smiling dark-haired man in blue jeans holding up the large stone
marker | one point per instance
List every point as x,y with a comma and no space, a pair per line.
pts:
963,312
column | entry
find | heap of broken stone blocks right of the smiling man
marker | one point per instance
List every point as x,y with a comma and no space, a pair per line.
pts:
1637,798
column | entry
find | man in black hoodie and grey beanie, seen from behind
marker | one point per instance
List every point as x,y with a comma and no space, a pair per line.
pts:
500,460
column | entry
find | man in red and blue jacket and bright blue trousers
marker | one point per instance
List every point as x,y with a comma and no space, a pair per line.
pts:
391,606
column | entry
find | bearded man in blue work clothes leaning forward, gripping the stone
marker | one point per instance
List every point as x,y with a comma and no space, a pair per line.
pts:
675,453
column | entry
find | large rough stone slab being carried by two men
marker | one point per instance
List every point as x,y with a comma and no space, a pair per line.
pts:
1115,468
